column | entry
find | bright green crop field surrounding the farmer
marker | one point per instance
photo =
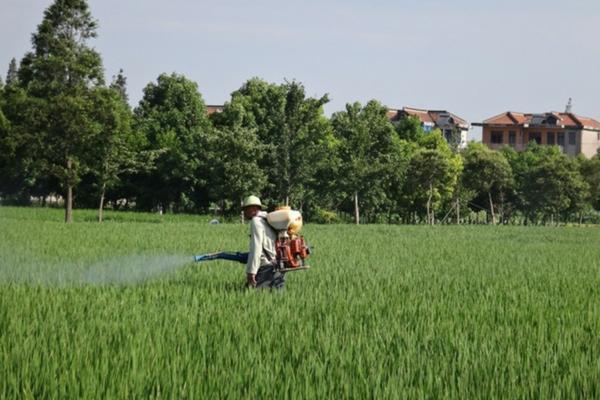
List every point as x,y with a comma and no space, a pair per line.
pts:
118,310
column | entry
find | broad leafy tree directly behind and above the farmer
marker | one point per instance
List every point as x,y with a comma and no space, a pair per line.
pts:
291,125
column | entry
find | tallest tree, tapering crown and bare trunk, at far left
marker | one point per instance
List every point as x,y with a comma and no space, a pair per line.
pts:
59,75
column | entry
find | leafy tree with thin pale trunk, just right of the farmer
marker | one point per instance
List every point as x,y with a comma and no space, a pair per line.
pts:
370,156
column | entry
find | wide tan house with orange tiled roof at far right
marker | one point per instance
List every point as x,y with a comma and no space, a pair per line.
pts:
572,133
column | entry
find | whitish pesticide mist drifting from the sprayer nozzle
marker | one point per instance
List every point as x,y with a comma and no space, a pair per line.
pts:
126,270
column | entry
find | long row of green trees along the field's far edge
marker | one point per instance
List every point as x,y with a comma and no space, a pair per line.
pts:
65,131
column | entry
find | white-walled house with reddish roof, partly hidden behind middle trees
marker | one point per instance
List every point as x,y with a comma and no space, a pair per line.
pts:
451,126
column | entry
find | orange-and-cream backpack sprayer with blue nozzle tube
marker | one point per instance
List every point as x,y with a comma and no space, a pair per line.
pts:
290,248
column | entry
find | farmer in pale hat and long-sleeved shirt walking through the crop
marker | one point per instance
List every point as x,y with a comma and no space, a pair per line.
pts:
260,268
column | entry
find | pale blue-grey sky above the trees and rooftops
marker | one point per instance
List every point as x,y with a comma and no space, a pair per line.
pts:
474,58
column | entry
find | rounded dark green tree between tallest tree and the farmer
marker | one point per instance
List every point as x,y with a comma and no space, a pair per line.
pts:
172,118
